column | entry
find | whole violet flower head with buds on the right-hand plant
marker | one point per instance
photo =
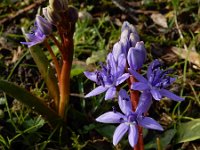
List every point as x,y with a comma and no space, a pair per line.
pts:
127,57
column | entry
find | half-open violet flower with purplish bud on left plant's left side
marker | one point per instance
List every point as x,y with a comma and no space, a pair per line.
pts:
42,28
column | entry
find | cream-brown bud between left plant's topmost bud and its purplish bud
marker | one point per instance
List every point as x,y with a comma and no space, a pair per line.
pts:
52,16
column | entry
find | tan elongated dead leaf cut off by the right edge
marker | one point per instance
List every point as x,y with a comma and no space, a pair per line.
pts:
192,56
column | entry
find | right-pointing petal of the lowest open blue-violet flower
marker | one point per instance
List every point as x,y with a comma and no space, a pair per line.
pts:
149,123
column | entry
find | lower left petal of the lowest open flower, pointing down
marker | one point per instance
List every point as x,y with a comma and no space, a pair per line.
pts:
119,133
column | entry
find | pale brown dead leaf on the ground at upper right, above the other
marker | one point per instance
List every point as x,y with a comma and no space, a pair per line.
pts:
159,19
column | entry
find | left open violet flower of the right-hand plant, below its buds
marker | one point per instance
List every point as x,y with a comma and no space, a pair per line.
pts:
109,77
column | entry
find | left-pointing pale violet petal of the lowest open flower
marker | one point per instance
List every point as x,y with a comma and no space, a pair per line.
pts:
110,117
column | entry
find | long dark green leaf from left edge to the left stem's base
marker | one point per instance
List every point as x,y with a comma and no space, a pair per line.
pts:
30,100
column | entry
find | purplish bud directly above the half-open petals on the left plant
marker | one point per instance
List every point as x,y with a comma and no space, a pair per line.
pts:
43,25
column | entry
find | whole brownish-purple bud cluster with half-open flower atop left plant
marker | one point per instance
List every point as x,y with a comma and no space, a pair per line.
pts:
59,14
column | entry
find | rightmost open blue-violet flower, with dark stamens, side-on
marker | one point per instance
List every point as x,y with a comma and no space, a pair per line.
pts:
156,82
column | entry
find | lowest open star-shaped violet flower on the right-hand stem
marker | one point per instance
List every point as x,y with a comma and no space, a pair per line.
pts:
128,121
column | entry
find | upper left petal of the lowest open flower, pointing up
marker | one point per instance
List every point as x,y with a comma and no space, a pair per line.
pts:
124,102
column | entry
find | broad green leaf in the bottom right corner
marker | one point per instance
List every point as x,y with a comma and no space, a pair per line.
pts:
188,131
